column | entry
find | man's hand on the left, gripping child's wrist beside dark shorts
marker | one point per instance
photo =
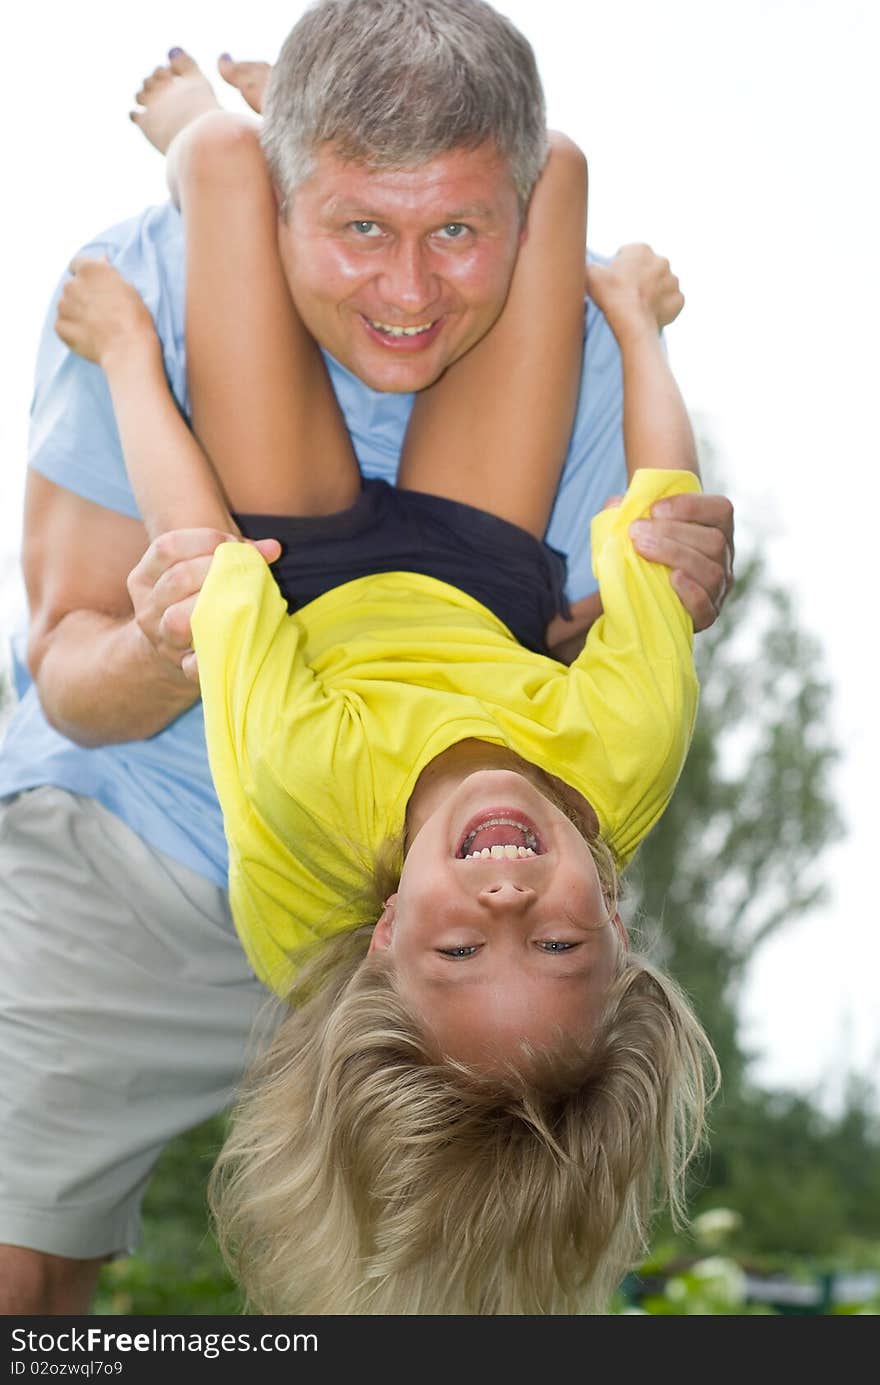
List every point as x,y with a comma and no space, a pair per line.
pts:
164,589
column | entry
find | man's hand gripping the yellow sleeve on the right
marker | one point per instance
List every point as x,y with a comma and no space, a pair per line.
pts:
694,537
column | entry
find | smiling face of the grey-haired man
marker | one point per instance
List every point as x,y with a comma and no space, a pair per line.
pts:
398,274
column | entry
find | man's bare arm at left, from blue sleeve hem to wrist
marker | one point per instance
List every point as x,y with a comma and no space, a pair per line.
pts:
99,675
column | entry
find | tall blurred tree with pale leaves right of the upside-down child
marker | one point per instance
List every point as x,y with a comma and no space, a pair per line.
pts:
738,854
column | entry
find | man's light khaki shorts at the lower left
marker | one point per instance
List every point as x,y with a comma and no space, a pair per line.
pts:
127,1016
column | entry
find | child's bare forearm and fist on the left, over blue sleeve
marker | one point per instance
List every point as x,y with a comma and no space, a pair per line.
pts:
102,318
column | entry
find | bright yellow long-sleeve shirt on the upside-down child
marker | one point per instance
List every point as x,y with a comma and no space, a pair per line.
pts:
319,724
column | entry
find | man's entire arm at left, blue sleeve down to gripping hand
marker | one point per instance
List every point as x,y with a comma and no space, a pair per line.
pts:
109,623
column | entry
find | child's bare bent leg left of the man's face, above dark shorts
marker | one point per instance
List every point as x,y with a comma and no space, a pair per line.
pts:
261,398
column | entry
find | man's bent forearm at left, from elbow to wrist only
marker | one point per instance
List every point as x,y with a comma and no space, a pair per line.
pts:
100,682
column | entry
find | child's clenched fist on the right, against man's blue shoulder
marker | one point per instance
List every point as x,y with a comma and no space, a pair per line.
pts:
638,289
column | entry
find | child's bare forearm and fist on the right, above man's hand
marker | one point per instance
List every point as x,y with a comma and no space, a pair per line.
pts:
640,296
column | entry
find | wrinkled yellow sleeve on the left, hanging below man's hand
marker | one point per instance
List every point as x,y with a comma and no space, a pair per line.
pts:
261,702
